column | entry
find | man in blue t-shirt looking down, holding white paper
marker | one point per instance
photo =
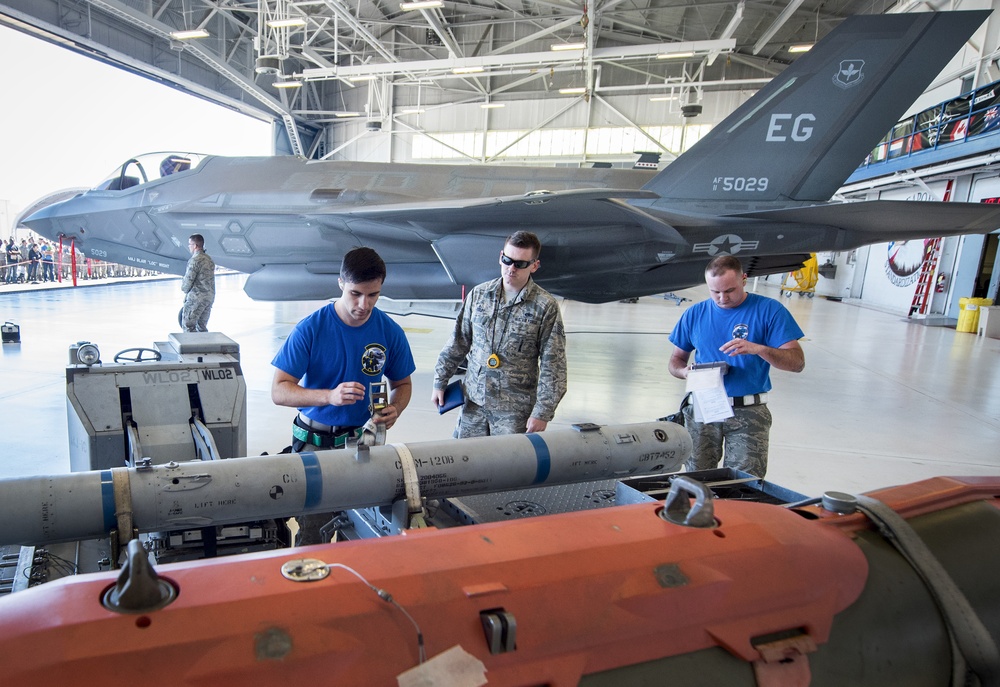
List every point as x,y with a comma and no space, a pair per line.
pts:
751,334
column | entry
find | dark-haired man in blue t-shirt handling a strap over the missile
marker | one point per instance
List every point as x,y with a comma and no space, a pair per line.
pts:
328,362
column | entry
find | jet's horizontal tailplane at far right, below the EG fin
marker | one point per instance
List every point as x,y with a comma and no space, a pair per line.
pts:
891,220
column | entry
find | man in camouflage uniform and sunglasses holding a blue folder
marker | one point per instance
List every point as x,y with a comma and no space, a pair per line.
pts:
512,332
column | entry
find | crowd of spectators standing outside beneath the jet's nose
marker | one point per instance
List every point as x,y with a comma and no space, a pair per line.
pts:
36,261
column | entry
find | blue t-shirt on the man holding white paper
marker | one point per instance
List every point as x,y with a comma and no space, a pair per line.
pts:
705,327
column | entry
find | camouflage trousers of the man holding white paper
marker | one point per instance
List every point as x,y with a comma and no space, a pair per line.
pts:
744,436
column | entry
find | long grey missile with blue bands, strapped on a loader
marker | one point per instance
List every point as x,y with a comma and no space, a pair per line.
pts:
172,496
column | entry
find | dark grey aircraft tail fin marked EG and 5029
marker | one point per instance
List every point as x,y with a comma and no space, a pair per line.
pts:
802,135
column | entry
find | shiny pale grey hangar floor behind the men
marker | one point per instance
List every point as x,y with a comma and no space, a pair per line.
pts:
882,401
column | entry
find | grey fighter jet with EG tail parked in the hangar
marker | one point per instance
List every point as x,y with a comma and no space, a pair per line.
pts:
758,186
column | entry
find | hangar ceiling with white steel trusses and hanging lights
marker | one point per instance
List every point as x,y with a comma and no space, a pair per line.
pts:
324,51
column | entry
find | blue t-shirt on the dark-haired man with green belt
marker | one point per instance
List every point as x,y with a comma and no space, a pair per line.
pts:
323,352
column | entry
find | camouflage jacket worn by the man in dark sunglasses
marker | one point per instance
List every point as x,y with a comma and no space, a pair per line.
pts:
528,337
